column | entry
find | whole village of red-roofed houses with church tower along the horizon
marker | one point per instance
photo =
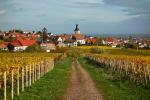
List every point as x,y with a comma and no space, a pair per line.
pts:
16,40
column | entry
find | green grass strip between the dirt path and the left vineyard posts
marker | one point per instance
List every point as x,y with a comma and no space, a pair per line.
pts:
52,86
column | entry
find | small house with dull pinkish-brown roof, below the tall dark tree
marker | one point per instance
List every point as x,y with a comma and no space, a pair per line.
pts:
48,46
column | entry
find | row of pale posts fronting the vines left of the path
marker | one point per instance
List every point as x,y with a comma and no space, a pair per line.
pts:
23,77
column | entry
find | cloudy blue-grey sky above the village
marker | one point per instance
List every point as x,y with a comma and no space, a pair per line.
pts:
92,16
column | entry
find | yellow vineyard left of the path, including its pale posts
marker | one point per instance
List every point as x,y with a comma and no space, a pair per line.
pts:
20,70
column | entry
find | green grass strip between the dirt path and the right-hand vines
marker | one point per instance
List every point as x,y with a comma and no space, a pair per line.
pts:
113,86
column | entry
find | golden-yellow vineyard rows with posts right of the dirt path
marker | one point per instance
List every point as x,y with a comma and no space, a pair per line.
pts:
135,68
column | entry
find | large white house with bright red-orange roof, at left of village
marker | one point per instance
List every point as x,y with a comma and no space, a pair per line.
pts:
20,44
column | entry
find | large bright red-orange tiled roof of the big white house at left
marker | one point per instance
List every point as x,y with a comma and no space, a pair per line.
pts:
22,42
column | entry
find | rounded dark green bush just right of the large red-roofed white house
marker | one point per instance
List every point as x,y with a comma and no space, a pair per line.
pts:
34,48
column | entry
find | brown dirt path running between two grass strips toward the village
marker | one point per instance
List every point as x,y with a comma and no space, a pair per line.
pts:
81,85
